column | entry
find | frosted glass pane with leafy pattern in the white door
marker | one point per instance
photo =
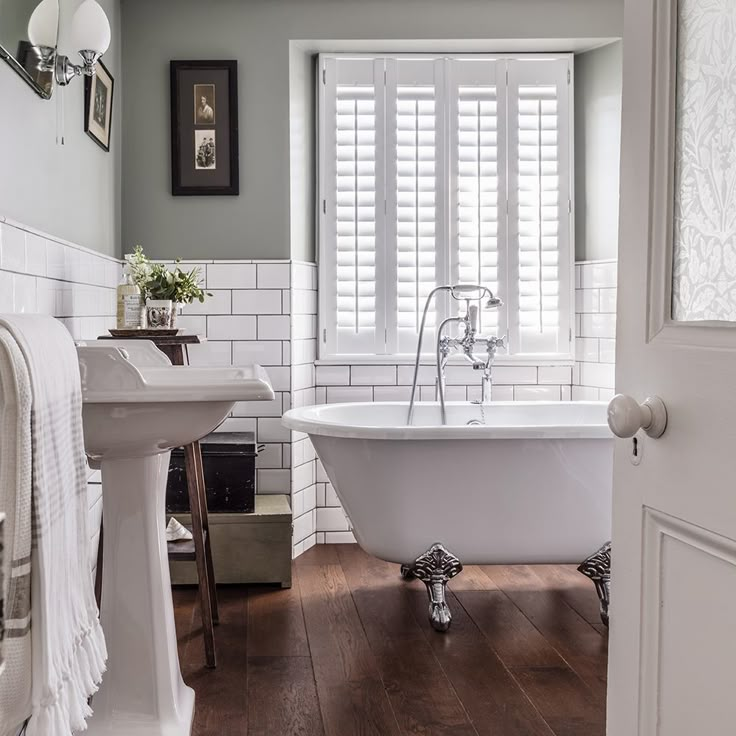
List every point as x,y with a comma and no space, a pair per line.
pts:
704,274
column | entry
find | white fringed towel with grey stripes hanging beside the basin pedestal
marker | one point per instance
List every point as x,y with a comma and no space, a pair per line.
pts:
69,652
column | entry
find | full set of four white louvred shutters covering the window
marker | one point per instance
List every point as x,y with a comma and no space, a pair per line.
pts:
437,171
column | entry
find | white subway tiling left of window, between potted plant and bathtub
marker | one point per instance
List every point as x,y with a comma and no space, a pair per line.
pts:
266,312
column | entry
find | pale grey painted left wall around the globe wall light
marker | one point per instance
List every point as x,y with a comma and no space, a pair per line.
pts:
70,191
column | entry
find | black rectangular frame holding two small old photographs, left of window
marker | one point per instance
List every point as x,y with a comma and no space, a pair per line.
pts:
204,128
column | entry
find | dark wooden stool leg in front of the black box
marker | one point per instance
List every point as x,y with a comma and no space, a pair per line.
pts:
202,549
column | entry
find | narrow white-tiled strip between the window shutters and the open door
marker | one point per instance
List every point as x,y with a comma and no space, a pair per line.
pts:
593,376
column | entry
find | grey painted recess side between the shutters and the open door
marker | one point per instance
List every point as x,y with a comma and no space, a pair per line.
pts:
597,151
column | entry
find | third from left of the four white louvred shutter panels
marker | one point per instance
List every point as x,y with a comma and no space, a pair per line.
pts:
478,192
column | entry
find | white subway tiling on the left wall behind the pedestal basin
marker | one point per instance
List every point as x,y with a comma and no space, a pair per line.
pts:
41,274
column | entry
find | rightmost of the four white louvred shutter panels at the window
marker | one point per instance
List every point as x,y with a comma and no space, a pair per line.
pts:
539,206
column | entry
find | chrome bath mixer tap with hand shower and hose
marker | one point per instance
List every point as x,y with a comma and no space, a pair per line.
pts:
465,343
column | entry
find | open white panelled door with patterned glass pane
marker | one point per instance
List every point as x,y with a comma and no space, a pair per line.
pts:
672,638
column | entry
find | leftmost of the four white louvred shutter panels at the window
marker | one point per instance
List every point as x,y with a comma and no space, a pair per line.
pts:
354,169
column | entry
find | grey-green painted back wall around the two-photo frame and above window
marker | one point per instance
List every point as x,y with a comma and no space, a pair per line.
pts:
259,223
